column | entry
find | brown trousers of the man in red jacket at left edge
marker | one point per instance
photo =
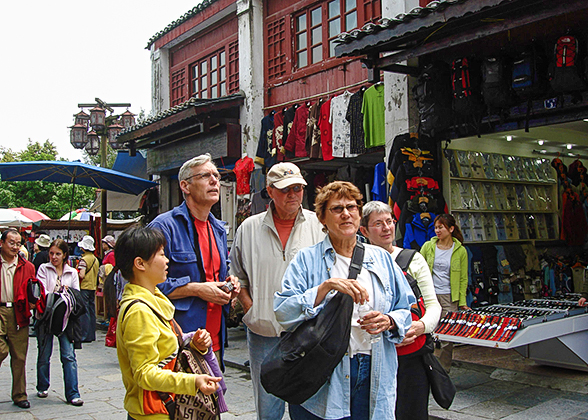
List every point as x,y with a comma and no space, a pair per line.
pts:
14,341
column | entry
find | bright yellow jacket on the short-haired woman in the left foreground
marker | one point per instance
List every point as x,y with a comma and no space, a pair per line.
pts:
147,350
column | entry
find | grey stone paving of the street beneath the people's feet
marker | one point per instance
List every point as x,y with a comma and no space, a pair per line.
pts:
491,385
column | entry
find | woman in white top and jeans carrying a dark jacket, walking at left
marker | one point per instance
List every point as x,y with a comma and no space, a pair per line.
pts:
57,275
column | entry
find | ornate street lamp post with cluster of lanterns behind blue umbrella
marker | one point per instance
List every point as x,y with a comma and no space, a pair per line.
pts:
102,131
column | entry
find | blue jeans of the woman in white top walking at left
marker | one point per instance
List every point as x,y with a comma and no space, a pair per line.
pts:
68,362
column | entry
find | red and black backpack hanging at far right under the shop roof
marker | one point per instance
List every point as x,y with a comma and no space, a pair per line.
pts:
565,70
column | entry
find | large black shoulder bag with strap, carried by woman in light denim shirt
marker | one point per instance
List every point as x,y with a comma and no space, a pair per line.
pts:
304,359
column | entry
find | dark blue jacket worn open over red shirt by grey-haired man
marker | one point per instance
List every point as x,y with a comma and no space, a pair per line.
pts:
184,265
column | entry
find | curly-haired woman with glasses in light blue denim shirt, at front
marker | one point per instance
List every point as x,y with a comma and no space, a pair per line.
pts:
363,385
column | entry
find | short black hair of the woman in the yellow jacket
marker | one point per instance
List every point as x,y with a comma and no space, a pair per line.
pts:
136,242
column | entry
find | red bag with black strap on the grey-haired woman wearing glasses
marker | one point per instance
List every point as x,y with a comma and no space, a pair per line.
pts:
423,342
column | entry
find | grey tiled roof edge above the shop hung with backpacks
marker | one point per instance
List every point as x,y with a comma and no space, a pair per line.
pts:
405,23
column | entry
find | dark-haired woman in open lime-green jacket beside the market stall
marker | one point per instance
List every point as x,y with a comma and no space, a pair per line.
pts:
448,262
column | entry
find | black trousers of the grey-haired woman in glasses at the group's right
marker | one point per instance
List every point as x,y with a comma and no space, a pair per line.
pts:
412,393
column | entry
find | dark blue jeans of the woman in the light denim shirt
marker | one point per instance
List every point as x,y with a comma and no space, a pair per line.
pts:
360,392
